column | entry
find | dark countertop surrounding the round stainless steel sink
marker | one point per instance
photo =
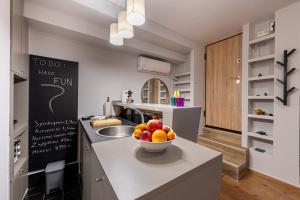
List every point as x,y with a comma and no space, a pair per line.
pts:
91,132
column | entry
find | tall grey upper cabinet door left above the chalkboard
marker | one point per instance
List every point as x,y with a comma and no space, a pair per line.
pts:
19,40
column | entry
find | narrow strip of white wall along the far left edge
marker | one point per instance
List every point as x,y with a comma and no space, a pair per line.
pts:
4,102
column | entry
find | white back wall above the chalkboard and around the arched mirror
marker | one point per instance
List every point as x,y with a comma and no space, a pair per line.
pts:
102,72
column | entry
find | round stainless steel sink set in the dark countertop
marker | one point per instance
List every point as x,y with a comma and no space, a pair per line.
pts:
116,131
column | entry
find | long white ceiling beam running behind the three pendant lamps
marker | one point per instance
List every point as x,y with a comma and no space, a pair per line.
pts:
62,20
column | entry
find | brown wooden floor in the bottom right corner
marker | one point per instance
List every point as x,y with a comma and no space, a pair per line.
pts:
256,186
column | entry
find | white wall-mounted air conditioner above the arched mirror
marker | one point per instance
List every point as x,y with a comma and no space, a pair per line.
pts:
153,66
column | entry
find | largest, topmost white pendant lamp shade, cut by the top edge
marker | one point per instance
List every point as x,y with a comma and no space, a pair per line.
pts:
136,12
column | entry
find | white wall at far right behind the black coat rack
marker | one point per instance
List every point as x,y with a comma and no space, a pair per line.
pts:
286,123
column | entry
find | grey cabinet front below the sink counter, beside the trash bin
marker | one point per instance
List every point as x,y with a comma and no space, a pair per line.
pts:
95,184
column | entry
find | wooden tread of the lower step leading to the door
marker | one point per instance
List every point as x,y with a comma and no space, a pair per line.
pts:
230,156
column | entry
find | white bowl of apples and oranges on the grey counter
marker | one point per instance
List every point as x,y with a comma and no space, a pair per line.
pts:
153,136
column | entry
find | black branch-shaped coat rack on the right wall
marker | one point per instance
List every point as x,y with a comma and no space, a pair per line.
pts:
286,73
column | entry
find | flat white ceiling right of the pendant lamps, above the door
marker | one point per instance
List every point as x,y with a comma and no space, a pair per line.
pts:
209,20
